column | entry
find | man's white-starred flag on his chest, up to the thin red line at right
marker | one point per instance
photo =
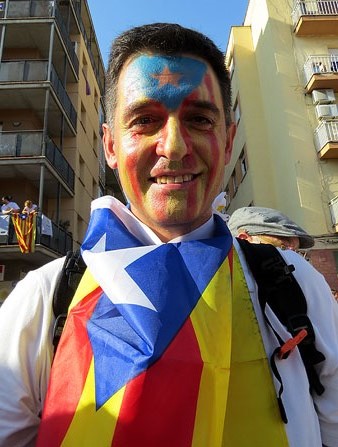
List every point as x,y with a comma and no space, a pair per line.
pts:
145,356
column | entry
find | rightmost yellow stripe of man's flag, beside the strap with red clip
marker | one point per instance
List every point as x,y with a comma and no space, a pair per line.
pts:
252,416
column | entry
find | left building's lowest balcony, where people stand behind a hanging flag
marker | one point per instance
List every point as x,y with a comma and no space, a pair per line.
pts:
59,243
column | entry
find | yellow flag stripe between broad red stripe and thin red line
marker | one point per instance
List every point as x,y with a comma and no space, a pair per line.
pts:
212,323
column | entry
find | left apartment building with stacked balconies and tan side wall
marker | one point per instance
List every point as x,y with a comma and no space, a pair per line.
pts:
51,88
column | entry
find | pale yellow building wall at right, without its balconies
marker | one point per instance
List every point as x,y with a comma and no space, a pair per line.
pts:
278,121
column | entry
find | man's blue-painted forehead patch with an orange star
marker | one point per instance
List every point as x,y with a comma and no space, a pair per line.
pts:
166,79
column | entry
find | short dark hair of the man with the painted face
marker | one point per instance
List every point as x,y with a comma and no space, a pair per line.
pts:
165,38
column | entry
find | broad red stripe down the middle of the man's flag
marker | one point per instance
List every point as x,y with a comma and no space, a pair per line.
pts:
159,406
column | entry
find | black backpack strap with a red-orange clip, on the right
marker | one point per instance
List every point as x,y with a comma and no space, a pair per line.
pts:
278,288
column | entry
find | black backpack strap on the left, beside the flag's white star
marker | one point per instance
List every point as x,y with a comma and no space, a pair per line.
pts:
70,276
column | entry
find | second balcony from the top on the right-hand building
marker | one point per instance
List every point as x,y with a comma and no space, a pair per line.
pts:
321,72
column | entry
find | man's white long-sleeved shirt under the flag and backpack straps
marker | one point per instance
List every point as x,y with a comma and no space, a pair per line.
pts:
26,322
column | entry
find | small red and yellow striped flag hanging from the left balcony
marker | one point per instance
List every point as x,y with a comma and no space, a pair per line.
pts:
25,230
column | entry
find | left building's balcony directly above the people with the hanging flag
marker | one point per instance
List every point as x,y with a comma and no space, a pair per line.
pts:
27,148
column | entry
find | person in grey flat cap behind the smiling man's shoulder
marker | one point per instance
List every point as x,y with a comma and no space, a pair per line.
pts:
261,225
